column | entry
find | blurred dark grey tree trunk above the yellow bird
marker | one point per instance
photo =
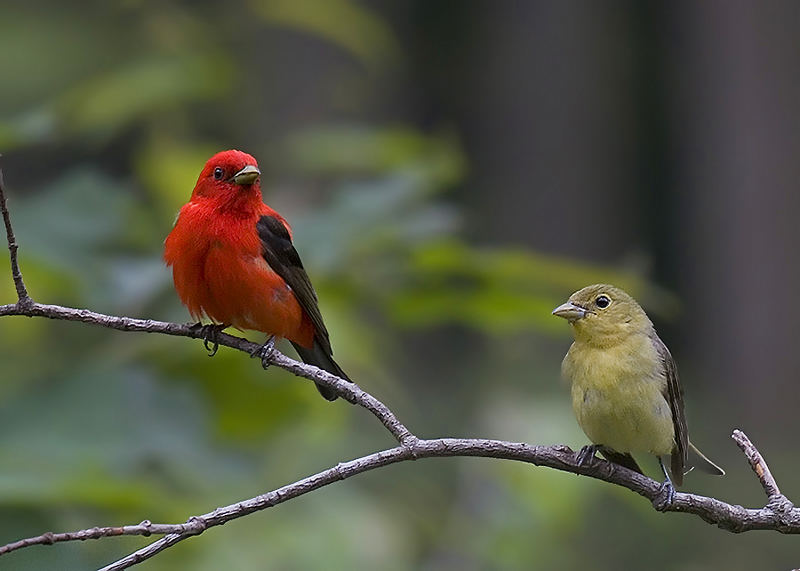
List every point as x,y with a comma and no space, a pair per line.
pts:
548,115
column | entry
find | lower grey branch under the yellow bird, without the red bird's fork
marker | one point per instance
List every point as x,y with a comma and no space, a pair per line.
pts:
729,517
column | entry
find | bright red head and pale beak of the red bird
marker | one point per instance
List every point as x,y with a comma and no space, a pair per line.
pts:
229,175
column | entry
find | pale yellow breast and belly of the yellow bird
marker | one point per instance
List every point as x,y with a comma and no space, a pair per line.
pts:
617,396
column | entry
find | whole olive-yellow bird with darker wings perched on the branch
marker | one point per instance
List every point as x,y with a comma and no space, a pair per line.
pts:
625,389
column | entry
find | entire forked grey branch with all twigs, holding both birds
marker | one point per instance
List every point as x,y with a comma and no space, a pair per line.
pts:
779,514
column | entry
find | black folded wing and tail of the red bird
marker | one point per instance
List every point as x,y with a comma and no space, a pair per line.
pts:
280,254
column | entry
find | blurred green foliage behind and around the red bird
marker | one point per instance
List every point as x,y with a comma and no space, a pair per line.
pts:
111,114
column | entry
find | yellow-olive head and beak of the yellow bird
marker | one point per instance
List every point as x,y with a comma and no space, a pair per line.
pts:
603,315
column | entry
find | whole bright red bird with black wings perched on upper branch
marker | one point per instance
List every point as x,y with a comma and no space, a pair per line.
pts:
233,261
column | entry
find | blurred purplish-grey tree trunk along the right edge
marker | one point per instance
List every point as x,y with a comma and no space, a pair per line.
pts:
735,97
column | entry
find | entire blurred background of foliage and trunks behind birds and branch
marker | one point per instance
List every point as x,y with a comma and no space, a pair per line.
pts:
452,172
